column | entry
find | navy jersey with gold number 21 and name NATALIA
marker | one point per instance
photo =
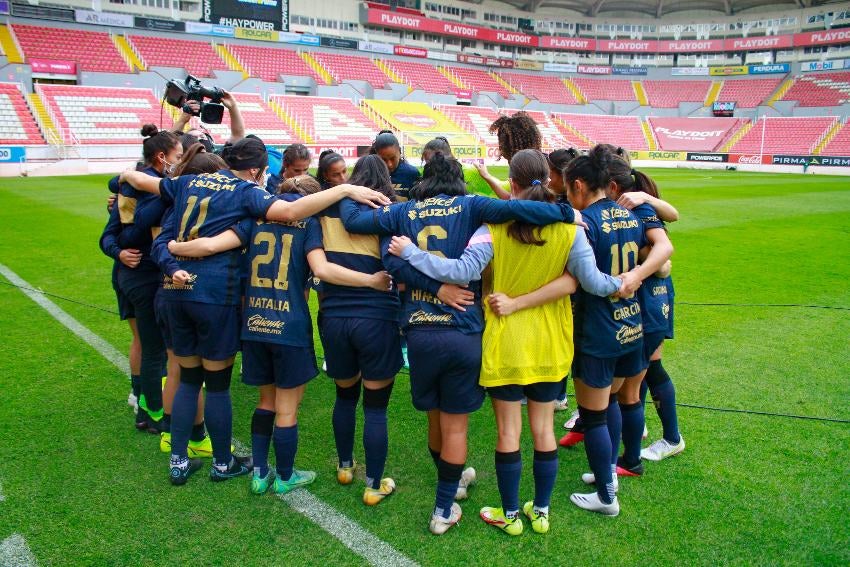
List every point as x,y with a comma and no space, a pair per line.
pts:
275,309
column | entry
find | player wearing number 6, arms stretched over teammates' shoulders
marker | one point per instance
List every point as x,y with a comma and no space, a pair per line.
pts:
445,343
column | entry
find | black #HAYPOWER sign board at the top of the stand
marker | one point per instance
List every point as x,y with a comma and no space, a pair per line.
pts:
269,15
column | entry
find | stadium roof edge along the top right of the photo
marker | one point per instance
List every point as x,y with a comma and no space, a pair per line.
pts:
661,8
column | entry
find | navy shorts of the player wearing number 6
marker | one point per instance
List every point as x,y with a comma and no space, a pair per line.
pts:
445,366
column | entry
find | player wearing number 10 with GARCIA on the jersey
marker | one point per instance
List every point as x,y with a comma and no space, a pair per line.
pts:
608,332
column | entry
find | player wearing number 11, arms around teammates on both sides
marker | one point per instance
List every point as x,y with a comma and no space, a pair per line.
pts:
202,296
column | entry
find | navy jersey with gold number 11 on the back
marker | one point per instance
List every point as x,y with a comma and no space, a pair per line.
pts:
207,205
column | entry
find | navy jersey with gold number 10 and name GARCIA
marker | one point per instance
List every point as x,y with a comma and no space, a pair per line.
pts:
608,327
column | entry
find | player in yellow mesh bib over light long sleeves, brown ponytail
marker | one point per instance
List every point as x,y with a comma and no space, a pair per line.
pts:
527,340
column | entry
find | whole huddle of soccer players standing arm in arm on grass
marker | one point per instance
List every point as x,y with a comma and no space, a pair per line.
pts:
565,274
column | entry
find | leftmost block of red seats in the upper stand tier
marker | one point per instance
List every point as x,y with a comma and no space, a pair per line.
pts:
92,51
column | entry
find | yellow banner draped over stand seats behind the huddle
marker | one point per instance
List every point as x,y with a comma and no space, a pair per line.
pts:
417,122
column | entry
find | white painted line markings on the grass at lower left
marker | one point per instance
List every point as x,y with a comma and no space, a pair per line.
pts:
374,550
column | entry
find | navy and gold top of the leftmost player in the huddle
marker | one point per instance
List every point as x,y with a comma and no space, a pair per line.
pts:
133,223
